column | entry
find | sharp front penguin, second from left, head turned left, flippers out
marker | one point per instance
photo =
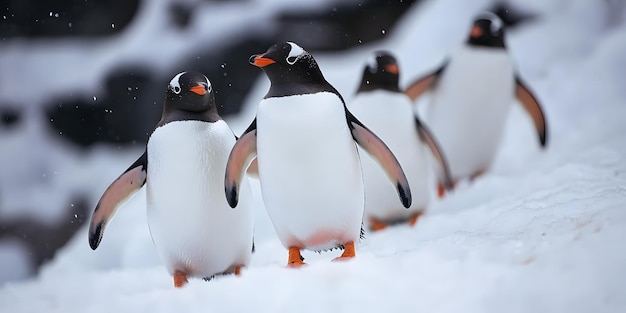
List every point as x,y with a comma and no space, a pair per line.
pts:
304,137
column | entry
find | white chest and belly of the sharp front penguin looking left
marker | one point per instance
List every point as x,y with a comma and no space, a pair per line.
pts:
309,171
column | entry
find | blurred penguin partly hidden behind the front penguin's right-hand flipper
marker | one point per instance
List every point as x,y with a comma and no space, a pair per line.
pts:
380,104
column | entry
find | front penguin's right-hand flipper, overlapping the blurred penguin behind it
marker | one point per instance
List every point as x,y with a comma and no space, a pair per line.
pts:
376,148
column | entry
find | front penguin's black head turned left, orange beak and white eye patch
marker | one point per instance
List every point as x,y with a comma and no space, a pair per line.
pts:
287,63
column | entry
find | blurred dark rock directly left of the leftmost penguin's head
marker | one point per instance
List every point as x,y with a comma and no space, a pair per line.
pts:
125,115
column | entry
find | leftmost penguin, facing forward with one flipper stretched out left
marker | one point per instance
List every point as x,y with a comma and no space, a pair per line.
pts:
192,226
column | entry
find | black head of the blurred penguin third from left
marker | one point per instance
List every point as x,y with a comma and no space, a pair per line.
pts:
381,72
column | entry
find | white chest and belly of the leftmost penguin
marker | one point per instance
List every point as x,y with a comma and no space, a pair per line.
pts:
192,226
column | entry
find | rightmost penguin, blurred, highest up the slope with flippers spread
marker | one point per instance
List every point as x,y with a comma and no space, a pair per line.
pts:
472,94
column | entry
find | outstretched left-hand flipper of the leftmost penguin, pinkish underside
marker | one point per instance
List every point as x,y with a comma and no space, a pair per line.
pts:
115,195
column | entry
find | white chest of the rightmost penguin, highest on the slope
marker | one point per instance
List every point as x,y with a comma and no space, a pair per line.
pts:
470,105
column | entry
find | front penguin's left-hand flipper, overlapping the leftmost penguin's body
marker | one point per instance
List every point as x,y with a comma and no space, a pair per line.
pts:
239,159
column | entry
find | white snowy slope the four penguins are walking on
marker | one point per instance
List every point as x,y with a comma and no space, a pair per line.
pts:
545,231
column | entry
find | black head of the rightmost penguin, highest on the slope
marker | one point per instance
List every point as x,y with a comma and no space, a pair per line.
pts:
487,31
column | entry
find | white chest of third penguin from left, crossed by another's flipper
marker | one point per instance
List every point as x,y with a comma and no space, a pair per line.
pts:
389,115
